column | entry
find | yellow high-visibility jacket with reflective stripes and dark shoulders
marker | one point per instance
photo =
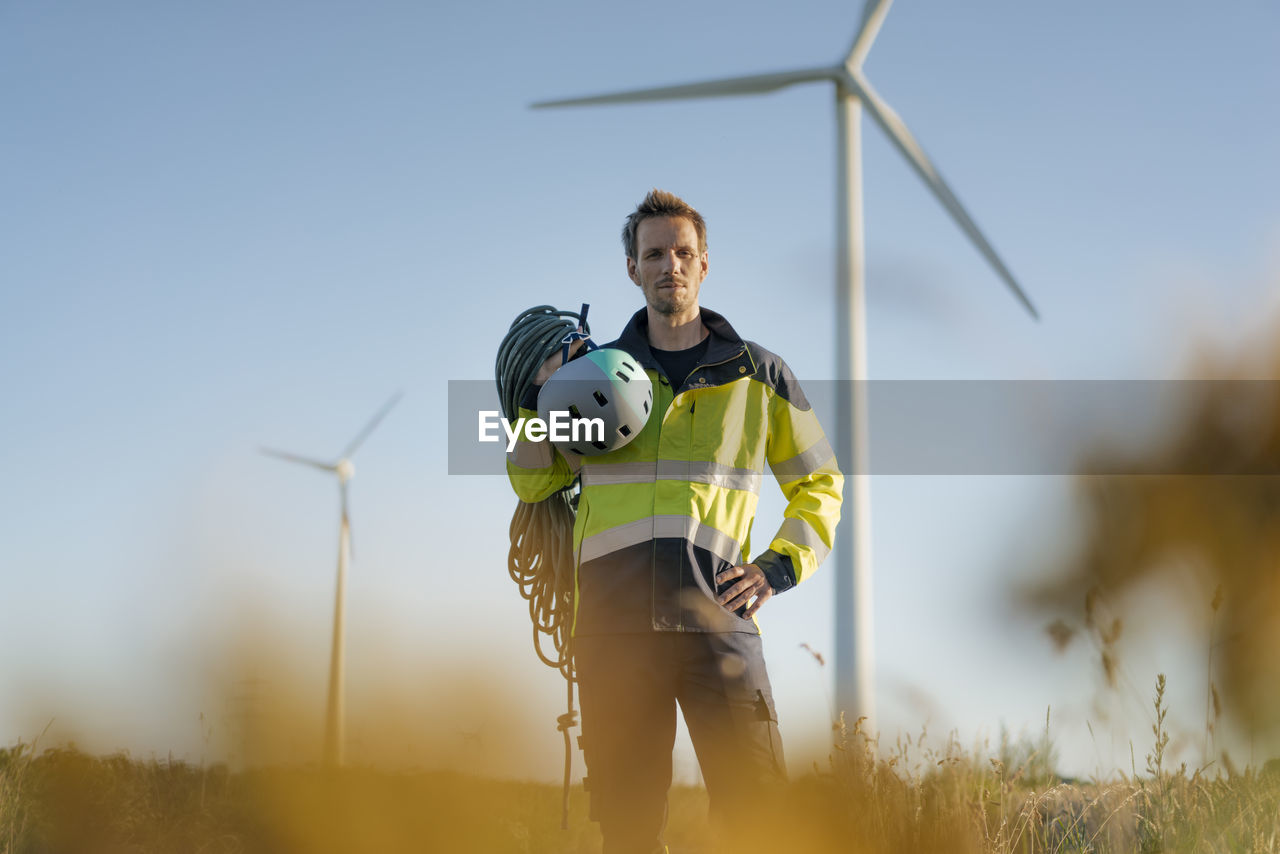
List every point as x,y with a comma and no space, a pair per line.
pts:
660,518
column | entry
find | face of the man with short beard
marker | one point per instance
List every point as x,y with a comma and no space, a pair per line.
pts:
669,266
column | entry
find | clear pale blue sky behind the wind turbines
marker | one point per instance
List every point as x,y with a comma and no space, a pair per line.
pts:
237,225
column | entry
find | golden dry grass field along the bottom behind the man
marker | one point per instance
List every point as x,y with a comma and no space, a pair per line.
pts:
912,798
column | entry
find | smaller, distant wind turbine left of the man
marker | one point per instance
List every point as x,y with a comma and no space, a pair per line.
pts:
346,471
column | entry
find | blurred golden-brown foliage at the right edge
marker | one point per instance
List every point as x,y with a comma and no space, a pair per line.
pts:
1194,514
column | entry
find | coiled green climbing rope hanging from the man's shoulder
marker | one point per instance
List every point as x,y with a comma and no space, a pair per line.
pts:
541,560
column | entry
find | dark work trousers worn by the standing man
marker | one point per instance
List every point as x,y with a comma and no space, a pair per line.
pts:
629,687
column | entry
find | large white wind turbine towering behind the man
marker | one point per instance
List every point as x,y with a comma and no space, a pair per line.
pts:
854,636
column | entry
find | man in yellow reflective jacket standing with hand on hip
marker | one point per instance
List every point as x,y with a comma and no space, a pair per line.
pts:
666,597
